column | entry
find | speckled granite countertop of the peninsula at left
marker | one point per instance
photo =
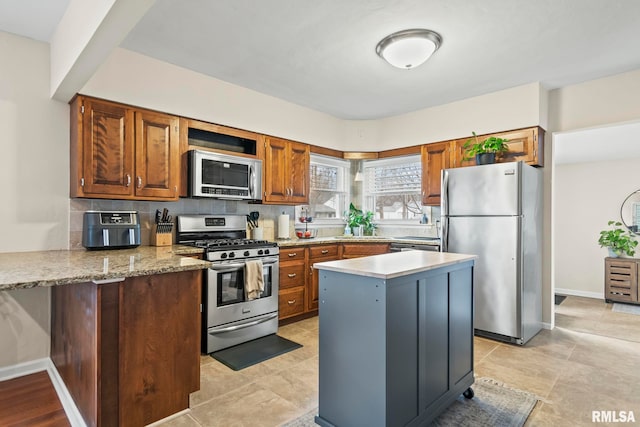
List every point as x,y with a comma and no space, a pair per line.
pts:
20,270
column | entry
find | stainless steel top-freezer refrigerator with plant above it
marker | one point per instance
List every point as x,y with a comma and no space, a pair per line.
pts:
495,212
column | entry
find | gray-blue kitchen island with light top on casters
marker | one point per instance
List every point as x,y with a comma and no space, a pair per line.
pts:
396,338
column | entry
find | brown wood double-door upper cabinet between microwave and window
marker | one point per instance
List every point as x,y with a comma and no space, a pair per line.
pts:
286,171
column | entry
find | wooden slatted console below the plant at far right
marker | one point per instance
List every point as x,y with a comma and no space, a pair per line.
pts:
621,280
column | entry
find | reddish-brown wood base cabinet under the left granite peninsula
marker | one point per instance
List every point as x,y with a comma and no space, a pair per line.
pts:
129,351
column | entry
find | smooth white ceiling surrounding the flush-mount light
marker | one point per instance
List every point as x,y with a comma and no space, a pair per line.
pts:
321,54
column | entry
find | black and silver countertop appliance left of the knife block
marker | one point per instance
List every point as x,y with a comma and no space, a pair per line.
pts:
111,230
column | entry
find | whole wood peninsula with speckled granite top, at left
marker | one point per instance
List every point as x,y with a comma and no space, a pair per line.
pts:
124,327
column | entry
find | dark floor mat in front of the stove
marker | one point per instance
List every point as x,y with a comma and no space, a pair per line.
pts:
249,353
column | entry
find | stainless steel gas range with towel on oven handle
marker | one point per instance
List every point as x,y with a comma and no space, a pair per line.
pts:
230,316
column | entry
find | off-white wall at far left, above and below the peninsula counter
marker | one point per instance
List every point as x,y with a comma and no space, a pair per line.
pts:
34,171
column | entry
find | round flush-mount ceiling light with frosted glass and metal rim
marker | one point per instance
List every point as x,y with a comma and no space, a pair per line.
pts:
408,48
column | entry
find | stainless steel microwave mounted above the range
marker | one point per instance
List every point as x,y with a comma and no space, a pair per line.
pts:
224,176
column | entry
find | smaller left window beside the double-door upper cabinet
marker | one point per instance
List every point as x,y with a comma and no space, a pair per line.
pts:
328,189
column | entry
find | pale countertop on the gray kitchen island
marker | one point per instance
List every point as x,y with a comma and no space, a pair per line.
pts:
388,266
